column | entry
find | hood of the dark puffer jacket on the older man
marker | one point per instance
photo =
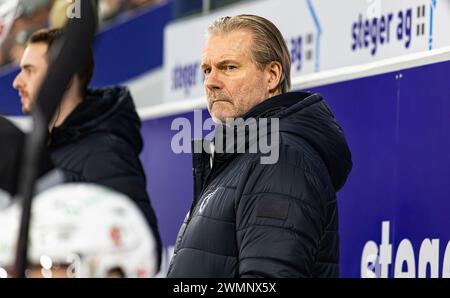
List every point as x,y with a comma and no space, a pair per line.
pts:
308,116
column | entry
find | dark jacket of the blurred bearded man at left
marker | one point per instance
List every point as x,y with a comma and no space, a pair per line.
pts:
100,143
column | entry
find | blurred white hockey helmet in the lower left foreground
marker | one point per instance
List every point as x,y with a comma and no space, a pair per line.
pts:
82,230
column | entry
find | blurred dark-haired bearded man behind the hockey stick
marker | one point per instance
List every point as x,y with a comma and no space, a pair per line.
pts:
95,134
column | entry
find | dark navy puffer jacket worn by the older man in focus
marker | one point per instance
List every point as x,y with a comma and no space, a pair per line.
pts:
269,220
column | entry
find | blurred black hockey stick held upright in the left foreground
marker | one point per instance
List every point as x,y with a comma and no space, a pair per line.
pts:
65,58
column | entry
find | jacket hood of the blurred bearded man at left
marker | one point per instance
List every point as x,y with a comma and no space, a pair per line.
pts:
108,110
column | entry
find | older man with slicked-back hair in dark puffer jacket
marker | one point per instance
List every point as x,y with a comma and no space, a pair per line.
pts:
250,218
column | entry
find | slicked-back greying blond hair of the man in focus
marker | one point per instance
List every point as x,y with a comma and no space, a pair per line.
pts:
268,42
